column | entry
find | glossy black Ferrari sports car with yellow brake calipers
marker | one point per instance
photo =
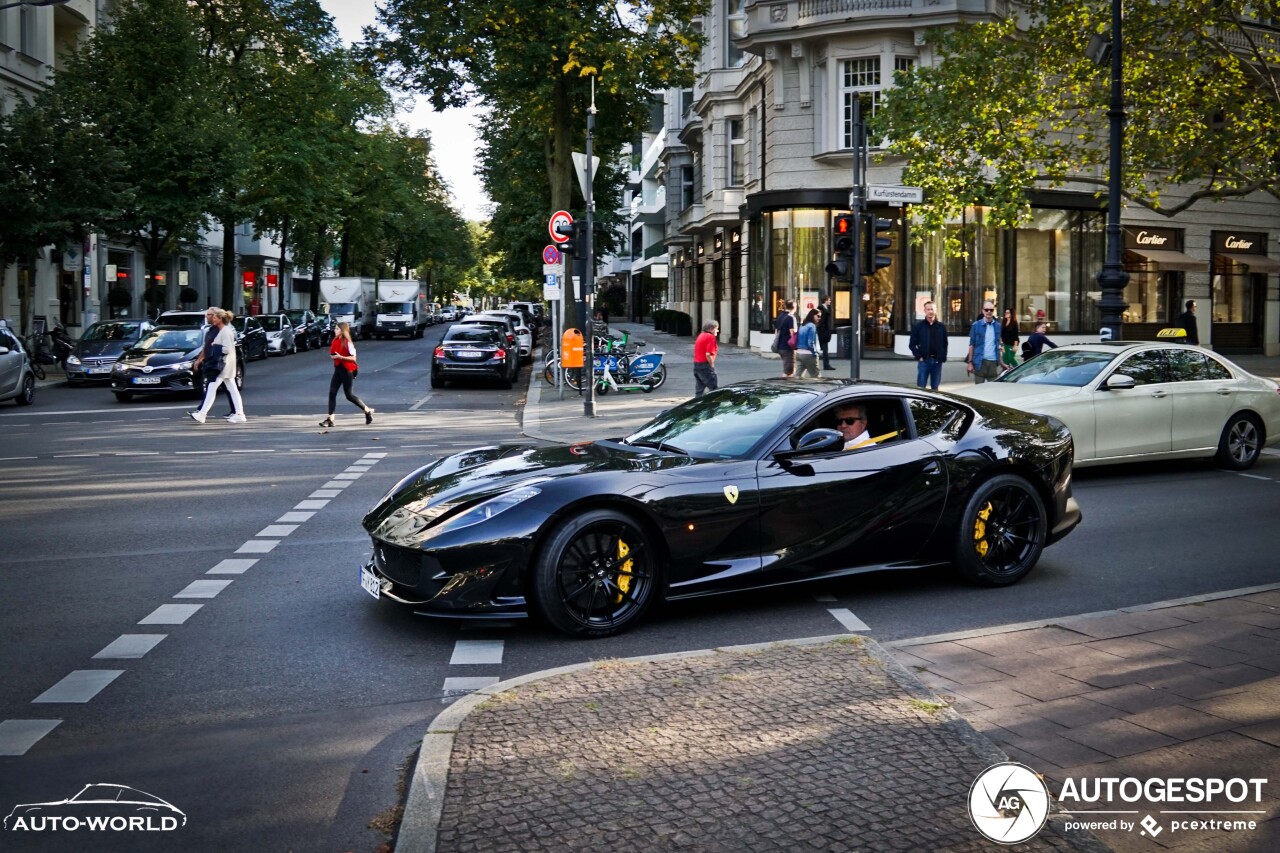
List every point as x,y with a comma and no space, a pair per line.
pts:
744,487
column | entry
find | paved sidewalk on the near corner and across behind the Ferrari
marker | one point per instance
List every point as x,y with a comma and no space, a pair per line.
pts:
840,743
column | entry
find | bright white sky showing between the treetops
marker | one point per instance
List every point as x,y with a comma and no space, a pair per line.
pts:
452,131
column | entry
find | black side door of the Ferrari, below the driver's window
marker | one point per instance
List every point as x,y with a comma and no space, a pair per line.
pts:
842,512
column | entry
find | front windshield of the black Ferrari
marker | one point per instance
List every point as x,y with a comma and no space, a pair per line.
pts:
725,423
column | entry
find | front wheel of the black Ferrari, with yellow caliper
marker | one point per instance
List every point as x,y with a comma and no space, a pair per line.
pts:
596,576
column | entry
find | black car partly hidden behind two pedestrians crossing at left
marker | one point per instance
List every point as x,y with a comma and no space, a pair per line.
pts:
162,363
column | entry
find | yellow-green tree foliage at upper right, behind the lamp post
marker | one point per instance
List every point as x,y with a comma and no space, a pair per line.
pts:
1016,108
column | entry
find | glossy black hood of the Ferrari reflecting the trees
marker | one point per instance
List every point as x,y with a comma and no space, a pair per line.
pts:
474,476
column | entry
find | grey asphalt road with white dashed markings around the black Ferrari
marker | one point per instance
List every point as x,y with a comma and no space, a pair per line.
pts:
280,700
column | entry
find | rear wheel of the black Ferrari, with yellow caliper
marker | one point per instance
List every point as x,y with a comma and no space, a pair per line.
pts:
1002,533
